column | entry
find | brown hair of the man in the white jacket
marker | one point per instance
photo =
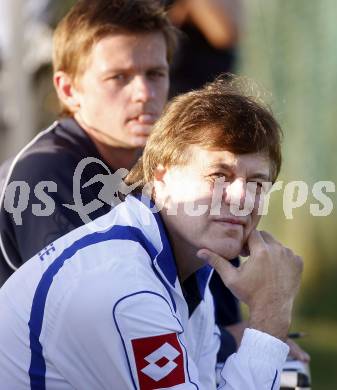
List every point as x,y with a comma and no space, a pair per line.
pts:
219,116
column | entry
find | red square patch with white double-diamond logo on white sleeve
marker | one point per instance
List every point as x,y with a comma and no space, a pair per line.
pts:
159,361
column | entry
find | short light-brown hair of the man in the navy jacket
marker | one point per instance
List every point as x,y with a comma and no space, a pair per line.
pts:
88,21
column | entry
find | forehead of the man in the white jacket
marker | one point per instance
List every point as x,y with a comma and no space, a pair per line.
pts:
246,165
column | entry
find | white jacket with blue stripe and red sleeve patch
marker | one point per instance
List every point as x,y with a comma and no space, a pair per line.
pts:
102,308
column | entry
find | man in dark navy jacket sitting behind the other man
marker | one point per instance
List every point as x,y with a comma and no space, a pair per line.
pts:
110,60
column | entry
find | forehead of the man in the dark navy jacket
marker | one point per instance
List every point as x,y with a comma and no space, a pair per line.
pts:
125,50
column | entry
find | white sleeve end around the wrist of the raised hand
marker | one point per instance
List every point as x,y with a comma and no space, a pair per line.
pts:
257,365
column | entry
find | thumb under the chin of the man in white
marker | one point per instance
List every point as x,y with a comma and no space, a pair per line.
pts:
223,267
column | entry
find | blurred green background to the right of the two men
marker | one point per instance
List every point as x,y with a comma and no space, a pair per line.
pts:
290,48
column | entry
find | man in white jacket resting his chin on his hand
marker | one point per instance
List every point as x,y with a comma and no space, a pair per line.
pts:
124,303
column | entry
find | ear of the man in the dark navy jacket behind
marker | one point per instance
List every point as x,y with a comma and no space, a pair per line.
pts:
66,91
